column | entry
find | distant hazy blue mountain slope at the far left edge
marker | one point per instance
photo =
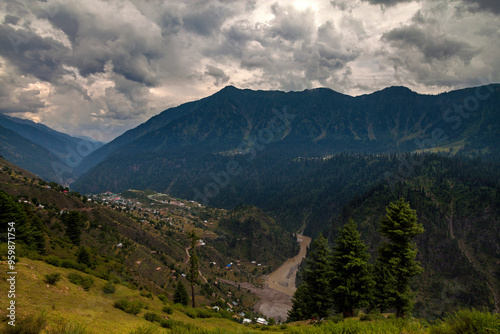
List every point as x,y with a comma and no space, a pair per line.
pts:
51,154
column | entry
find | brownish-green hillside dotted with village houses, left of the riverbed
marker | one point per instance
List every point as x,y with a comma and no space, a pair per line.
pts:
139,247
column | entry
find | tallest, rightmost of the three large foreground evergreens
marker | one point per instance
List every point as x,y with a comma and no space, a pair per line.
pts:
398,255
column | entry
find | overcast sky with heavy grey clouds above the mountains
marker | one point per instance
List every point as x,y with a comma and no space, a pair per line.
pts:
98,68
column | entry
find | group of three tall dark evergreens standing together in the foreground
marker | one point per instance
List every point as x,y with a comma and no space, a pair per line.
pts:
341,279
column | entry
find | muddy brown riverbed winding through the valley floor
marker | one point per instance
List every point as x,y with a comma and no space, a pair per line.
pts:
283,278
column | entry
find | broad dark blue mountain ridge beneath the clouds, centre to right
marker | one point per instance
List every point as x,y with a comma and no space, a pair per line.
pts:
202,136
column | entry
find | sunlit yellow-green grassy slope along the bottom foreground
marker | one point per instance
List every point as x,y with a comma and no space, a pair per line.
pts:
66,308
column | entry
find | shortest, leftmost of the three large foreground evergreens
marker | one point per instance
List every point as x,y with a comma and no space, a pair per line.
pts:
314,299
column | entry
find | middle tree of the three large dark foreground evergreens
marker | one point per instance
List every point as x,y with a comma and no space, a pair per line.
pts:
352,281
